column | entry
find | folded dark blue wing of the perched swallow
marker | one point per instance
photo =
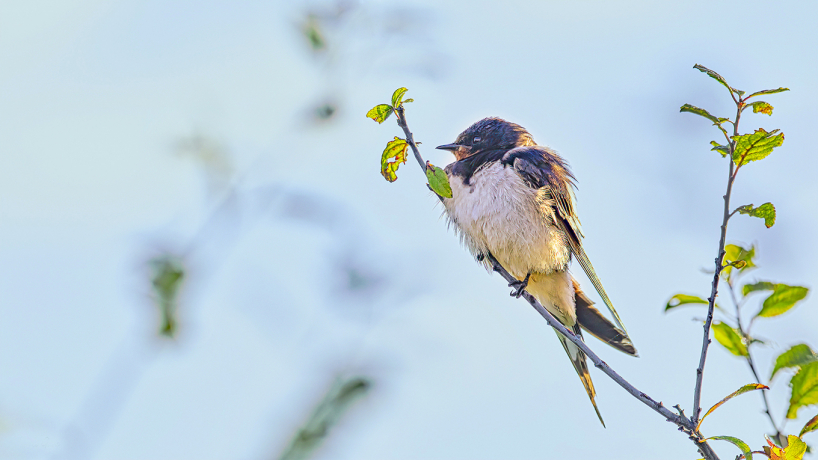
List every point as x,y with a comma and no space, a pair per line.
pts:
540,167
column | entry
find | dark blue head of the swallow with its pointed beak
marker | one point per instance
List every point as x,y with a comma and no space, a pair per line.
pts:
489,134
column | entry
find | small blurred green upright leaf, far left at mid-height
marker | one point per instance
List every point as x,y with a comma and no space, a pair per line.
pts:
168,274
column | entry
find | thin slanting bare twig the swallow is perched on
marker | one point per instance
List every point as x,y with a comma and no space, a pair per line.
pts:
685,425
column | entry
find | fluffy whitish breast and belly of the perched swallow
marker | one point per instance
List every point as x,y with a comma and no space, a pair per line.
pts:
498,212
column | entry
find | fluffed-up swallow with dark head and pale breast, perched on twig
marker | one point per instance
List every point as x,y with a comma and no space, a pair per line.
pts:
513,201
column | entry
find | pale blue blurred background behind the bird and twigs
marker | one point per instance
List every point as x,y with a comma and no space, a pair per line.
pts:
201,260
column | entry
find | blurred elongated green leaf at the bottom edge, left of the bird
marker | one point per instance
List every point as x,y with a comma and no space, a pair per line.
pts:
324,417
